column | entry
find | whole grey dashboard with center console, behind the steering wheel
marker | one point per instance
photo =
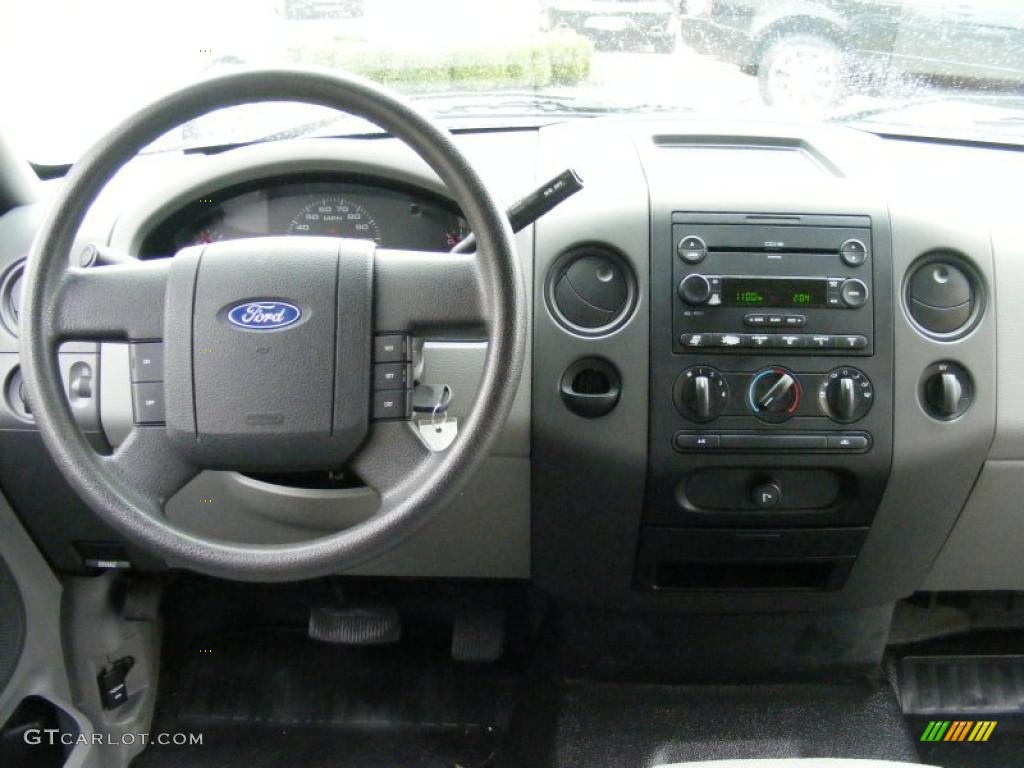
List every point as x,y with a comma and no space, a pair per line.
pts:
792,332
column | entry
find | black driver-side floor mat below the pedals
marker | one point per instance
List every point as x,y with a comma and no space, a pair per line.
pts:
276,699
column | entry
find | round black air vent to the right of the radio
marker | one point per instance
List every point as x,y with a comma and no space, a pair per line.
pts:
944,295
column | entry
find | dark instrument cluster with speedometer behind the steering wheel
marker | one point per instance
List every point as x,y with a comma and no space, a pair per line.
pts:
320,205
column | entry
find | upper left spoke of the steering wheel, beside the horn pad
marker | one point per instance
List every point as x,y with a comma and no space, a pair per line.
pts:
116,302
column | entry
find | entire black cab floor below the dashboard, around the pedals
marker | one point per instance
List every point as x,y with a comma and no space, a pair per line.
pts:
239,668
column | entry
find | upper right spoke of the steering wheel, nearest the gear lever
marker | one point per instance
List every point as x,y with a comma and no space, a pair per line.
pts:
429,292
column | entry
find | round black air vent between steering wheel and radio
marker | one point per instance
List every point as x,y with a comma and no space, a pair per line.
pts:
591,290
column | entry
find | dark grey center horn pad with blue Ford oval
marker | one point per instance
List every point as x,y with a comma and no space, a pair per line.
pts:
268,352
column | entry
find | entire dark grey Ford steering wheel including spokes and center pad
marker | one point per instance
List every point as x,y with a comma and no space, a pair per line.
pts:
286,391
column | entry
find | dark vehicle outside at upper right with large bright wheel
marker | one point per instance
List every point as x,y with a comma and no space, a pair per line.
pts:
809,53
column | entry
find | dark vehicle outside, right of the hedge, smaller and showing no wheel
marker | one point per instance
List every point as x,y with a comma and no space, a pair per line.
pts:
619,24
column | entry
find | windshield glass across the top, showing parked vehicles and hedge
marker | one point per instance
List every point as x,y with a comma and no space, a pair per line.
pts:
931,68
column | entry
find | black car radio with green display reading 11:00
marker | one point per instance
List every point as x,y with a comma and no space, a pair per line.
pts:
803,288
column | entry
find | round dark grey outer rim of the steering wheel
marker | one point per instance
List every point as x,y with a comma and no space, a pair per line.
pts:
110,485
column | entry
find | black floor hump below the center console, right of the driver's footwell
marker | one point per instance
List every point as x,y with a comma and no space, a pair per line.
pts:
667,724
